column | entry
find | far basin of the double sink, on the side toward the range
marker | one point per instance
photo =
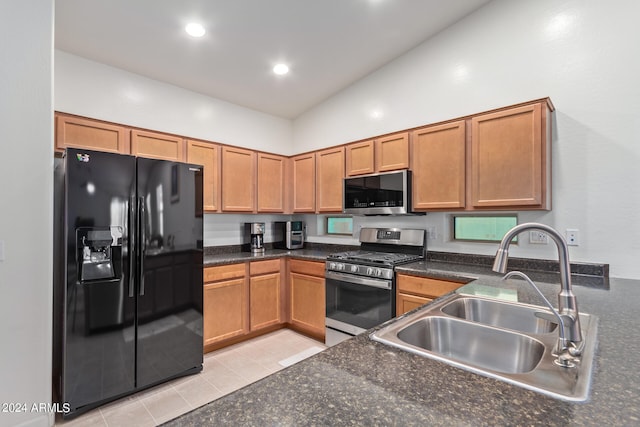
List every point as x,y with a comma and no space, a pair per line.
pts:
519,317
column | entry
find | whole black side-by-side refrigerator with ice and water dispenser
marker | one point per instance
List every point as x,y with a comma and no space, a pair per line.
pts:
127,275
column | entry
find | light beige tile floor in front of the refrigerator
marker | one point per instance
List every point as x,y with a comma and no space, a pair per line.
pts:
224,371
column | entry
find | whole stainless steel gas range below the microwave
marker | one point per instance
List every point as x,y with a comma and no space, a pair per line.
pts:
360,285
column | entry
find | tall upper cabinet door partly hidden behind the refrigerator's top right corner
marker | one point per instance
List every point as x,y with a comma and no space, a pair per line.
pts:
207,155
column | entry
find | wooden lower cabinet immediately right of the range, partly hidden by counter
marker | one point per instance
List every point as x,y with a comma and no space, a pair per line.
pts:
413,291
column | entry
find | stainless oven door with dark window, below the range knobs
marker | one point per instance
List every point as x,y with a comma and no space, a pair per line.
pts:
355,303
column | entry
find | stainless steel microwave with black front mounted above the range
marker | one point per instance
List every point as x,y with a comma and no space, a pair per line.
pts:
386,193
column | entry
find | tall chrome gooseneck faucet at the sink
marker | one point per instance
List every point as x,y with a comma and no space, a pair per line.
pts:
570,332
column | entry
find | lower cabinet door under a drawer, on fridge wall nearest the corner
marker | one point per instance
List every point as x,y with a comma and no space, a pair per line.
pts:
264,301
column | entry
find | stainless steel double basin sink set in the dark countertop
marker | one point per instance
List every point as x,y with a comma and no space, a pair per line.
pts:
498,339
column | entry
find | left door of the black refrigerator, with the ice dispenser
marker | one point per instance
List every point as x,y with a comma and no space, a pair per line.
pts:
94,297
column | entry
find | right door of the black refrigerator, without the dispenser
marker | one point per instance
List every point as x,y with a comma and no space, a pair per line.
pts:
169,197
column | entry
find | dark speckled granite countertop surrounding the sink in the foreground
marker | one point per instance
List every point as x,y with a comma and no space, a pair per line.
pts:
361,382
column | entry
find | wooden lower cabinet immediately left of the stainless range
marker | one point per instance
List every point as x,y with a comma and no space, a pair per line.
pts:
307,298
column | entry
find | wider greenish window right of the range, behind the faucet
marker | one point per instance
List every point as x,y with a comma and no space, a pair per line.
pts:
483,228
